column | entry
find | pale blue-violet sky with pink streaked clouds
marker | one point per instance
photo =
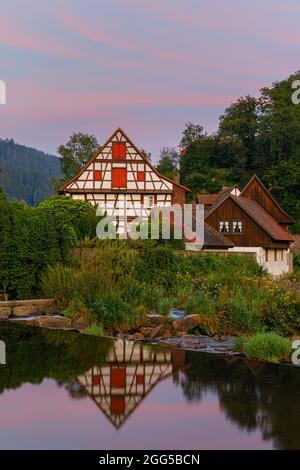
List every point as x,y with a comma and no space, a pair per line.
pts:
146,66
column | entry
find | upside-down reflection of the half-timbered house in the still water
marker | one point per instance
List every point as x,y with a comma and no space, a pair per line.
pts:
128,375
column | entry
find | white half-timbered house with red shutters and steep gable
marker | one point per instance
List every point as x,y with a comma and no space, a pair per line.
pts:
121,180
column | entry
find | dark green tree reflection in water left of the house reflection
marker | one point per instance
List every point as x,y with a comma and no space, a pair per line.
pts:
34,354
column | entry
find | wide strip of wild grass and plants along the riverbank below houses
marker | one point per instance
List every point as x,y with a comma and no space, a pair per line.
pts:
118,284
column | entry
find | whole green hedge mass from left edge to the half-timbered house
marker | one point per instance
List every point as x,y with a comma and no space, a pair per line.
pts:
32,239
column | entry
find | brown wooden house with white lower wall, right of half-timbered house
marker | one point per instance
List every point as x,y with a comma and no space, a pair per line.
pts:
255,223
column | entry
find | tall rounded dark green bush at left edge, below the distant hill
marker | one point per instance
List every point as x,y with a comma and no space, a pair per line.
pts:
29,243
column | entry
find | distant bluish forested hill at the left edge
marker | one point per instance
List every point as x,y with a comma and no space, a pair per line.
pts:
25,173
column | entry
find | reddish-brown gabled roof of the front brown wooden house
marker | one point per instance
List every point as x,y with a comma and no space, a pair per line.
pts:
259,215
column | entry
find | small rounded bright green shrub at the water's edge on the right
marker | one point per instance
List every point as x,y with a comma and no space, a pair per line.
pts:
267,347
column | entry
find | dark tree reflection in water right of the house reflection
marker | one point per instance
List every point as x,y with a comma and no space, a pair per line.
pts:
268,402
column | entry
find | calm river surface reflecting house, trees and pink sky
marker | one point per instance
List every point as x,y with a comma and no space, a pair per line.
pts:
61,390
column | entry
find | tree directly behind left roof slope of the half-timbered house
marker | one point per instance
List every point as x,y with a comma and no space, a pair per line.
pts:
76,153
